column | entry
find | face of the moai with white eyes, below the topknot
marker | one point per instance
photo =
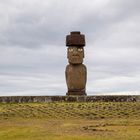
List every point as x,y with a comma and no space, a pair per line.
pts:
75,55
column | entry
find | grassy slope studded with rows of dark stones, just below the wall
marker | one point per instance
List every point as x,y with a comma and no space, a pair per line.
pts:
95,110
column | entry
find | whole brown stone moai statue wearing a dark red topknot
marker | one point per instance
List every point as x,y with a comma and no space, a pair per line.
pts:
76,73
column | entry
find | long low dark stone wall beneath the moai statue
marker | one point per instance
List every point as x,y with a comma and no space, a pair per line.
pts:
27,99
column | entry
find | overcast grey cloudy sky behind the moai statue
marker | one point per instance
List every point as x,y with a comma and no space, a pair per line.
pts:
33,54
